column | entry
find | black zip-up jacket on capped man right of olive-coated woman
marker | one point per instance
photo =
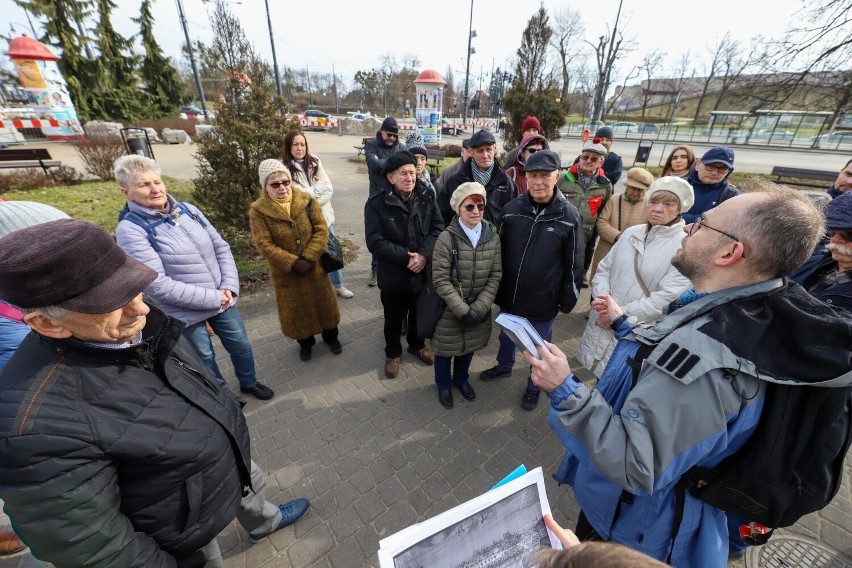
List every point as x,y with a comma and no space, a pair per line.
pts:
542,257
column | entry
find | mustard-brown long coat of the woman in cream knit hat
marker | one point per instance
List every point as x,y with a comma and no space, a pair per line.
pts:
306,302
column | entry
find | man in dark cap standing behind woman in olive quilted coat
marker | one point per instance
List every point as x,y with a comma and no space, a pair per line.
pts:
482,168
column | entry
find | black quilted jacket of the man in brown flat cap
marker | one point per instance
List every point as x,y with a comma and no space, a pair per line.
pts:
104,462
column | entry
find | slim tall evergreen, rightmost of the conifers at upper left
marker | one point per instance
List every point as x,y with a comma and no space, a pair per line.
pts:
162,83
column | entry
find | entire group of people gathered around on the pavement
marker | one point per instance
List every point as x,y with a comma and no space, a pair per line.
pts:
678,321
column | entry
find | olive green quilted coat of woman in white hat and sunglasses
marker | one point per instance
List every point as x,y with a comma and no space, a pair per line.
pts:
480,270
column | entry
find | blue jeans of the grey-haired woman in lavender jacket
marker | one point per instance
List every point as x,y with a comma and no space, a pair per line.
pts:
230,328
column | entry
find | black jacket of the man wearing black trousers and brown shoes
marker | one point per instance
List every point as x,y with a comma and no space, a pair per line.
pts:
394,228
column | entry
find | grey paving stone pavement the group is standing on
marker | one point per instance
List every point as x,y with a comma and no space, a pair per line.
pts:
374,455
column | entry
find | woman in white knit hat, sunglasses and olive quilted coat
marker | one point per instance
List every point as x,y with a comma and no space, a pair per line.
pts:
467,281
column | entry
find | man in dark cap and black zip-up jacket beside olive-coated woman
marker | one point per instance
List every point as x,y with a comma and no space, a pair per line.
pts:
542,242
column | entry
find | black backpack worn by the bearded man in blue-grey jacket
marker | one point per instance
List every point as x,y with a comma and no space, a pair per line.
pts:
791,466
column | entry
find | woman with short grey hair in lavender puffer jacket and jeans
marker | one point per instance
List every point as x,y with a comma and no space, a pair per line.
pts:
197,278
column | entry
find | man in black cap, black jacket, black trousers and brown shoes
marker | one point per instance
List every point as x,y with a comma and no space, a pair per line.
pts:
401,225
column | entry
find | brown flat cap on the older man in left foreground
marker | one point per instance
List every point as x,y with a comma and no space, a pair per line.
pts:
70,264
